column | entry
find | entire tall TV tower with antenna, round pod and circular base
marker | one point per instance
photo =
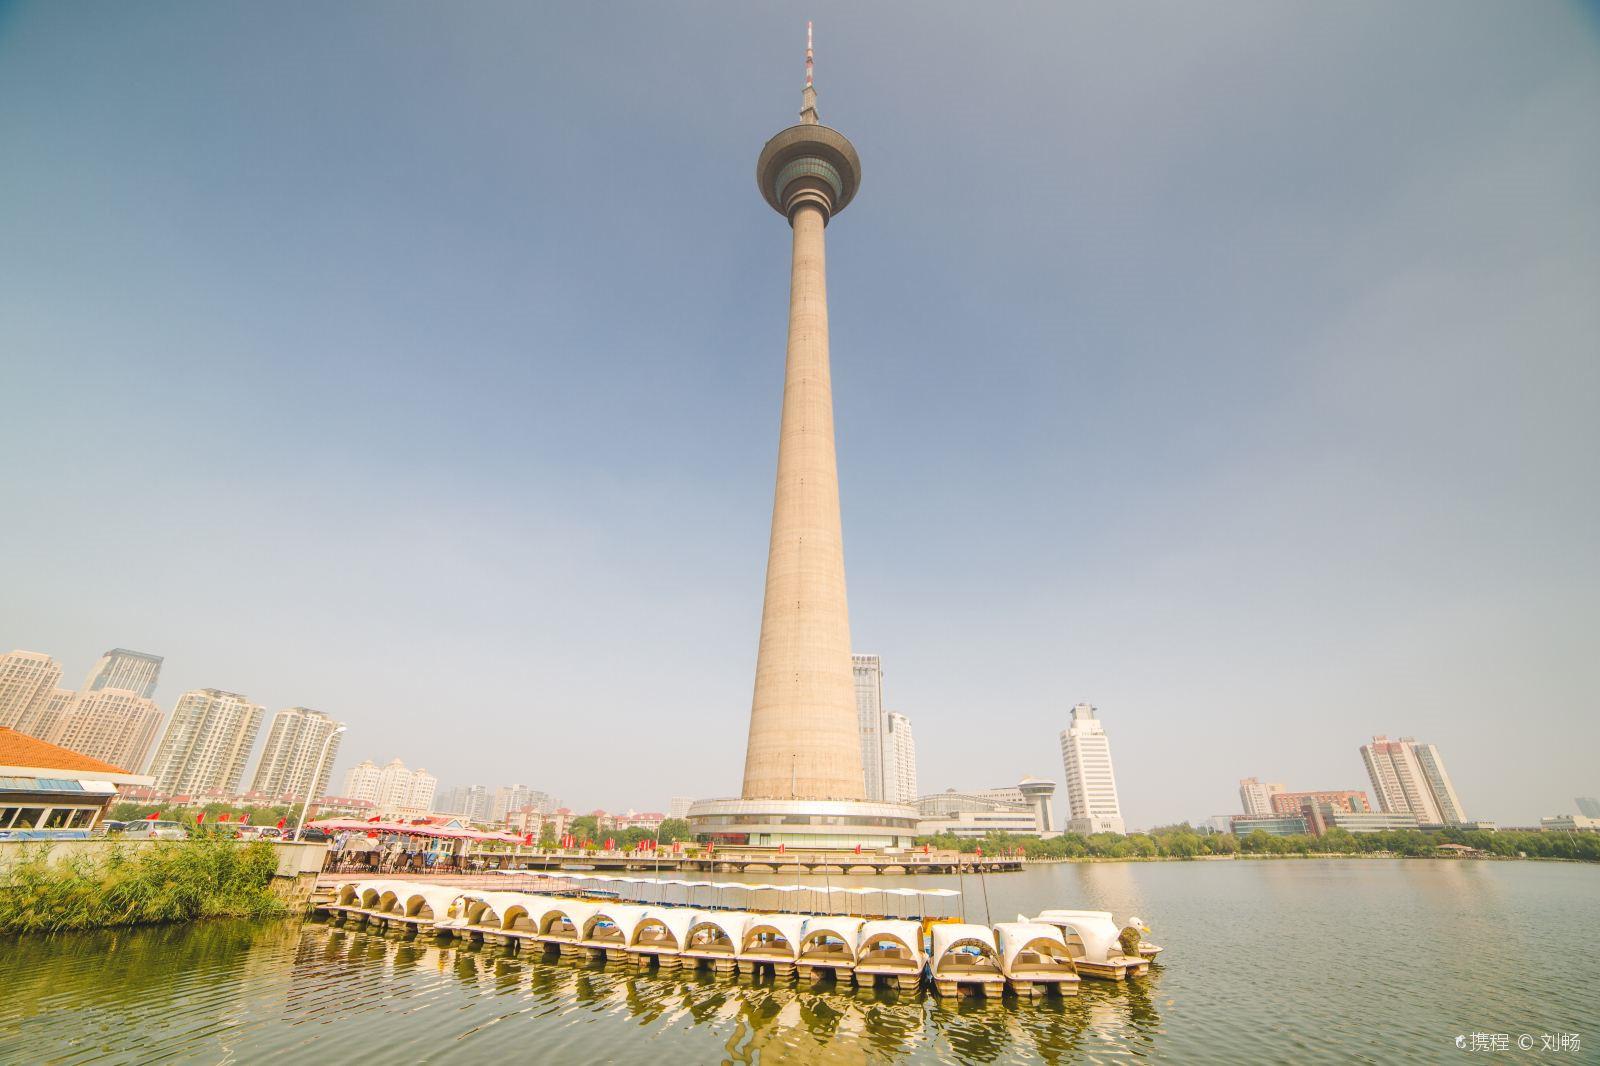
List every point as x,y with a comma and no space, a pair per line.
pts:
804,777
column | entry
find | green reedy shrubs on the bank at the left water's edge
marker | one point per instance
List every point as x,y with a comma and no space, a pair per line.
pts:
170,881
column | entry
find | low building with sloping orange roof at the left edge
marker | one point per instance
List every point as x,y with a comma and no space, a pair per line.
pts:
55,791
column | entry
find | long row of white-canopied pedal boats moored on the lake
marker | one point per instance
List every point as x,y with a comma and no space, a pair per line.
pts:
1033,956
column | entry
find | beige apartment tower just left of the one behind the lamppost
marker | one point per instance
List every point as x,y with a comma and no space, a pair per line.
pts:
207,743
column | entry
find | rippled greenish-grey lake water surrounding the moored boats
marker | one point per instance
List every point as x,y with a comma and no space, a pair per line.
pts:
1372,961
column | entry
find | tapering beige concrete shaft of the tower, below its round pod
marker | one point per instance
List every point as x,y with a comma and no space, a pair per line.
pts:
804,732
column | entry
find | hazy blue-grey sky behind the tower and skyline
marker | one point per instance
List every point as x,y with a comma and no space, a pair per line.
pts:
1230,367
